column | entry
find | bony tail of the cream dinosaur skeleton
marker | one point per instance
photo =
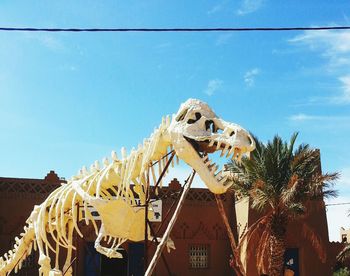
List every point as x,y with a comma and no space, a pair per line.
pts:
22,249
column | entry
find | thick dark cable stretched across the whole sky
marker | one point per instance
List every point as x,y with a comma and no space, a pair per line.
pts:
262,29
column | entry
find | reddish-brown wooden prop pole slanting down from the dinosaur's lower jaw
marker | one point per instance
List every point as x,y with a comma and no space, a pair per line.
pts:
237,264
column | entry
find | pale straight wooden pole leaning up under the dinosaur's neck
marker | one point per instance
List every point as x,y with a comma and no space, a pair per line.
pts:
166,235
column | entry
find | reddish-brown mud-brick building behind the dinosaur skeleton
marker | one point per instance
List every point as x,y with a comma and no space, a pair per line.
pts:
202,245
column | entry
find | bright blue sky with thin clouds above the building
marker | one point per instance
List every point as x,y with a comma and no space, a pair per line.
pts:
67,99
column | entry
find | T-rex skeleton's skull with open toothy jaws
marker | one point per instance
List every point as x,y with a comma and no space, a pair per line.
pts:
195,131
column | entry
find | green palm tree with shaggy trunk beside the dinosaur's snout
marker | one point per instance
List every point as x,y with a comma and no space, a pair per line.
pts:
279,181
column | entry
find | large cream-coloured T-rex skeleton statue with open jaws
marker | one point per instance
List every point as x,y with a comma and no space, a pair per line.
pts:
114,190
